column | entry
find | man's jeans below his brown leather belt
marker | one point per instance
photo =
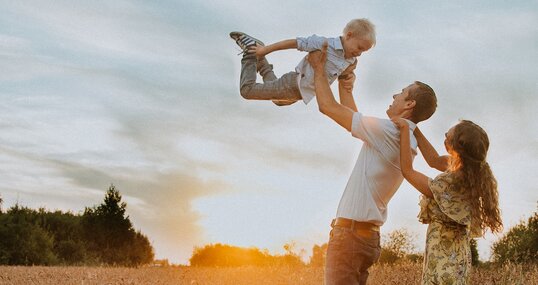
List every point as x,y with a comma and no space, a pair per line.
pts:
349,255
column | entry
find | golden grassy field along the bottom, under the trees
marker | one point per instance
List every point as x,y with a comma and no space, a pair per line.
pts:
395,274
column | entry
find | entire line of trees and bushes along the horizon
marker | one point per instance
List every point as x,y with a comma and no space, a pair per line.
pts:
104,235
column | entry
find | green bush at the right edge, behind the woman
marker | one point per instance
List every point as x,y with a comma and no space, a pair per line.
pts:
520,244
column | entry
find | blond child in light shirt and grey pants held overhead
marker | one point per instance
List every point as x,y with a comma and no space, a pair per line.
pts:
358,37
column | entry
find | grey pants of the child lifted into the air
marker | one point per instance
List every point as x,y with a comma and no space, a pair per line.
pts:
283,89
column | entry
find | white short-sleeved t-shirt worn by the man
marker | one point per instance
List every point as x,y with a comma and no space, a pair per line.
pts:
376,175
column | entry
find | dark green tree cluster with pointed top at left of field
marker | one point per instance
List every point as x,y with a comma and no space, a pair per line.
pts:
102,235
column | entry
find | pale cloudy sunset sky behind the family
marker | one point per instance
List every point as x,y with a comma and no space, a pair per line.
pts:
144,95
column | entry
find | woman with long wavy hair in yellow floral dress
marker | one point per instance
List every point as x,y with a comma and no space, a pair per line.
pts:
460,203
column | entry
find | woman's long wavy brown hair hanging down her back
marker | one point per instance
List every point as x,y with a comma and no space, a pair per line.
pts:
470,144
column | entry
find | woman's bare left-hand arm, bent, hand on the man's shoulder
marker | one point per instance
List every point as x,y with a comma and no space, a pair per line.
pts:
415,178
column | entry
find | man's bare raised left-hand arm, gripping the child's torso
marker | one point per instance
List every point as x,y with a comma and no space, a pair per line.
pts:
327,104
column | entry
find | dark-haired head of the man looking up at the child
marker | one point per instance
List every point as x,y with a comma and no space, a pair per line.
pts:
417,102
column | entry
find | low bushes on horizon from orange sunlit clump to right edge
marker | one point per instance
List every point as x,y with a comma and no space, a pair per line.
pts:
518,245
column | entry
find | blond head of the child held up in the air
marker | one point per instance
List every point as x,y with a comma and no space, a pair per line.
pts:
358,37
